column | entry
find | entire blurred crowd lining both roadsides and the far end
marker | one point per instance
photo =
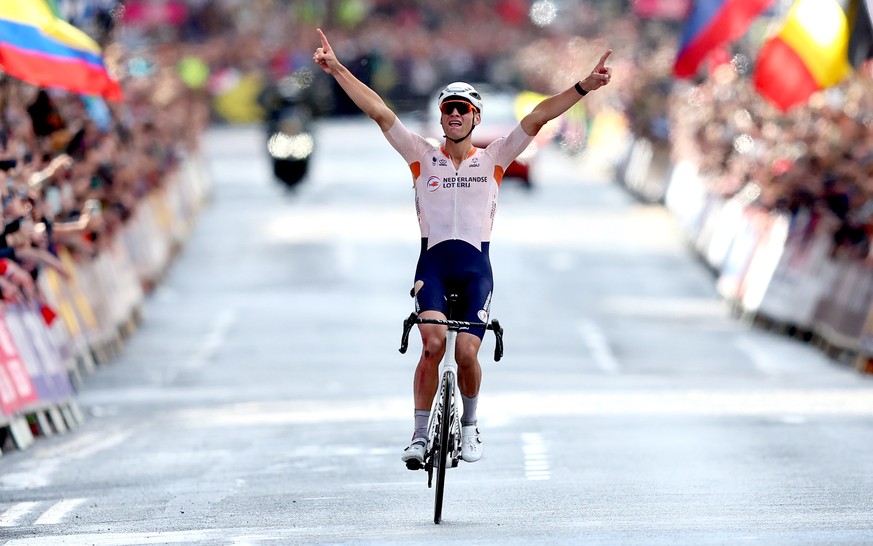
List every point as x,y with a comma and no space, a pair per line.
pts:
74,168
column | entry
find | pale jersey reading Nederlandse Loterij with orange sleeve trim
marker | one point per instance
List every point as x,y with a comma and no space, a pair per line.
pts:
456,203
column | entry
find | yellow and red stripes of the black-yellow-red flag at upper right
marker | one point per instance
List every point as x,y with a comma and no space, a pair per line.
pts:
809,53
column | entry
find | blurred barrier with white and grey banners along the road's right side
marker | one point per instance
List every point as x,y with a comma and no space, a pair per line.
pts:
780,271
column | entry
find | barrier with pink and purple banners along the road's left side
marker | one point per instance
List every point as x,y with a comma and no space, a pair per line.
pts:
46,349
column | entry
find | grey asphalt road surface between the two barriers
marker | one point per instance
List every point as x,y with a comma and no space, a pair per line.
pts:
264,401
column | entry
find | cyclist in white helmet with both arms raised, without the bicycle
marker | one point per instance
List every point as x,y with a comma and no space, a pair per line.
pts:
456,188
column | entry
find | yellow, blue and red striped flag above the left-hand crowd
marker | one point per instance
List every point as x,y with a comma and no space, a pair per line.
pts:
42,49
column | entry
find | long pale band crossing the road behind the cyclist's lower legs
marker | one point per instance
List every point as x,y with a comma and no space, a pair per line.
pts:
802,402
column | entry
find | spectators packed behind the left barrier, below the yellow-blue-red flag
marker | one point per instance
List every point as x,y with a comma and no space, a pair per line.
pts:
73,168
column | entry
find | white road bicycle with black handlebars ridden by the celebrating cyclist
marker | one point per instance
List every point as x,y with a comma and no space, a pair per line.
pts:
443,448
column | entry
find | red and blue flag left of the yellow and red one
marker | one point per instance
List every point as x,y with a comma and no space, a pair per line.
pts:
711,24
